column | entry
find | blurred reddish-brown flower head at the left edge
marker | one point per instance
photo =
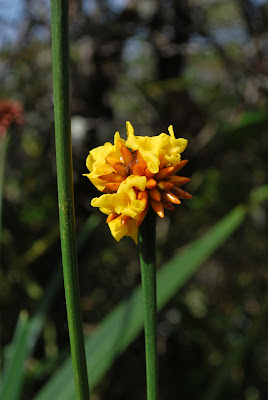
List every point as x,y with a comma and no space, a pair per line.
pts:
11,112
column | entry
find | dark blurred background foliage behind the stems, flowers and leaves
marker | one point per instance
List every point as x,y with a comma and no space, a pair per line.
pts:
201,66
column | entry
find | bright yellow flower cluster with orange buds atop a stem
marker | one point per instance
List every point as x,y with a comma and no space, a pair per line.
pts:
134,175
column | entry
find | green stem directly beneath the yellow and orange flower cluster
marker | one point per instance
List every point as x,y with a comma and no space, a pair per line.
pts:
147,248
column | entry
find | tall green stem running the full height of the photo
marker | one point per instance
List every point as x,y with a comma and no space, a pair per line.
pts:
60,61
